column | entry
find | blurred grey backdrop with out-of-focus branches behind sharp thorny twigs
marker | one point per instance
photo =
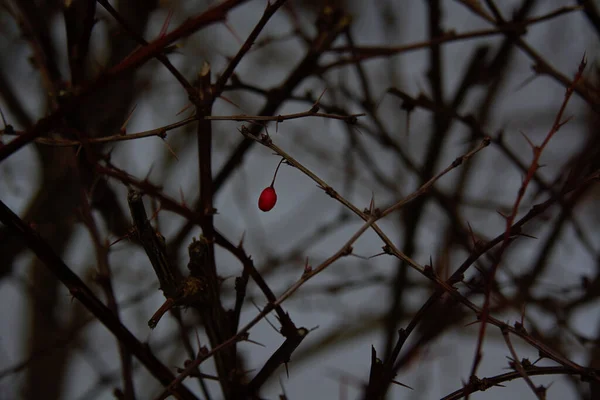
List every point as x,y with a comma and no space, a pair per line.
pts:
403,64
